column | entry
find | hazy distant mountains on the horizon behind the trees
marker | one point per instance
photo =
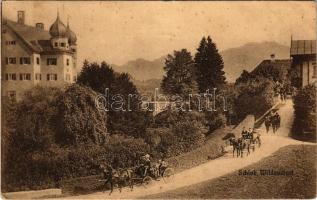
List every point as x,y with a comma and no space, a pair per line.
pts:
236,59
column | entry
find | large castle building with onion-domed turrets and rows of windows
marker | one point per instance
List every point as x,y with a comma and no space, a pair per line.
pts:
33,56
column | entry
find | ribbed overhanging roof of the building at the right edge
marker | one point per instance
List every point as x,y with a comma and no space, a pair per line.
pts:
303,47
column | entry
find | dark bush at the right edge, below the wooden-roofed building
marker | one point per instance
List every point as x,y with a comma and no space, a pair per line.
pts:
305,112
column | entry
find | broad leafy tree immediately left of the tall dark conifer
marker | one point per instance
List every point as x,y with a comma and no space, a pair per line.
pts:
180,75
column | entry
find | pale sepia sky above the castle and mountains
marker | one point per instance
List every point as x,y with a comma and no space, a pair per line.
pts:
121,31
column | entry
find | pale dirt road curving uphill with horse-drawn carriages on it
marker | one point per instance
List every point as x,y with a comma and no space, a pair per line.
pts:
215,168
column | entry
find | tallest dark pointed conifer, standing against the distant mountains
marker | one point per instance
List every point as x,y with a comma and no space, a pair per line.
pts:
209,66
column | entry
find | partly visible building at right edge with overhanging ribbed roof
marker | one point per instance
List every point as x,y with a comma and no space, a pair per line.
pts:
303,54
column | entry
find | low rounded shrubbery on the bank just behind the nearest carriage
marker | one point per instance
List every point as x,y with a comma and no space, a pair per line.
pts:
177,132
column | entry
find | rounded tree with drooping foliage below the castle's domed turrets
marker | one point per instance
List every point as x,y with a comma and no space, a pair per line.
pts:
77,119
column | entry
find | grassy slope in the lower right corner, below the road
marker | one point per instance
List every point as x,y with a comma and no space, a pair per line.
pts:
302,184
